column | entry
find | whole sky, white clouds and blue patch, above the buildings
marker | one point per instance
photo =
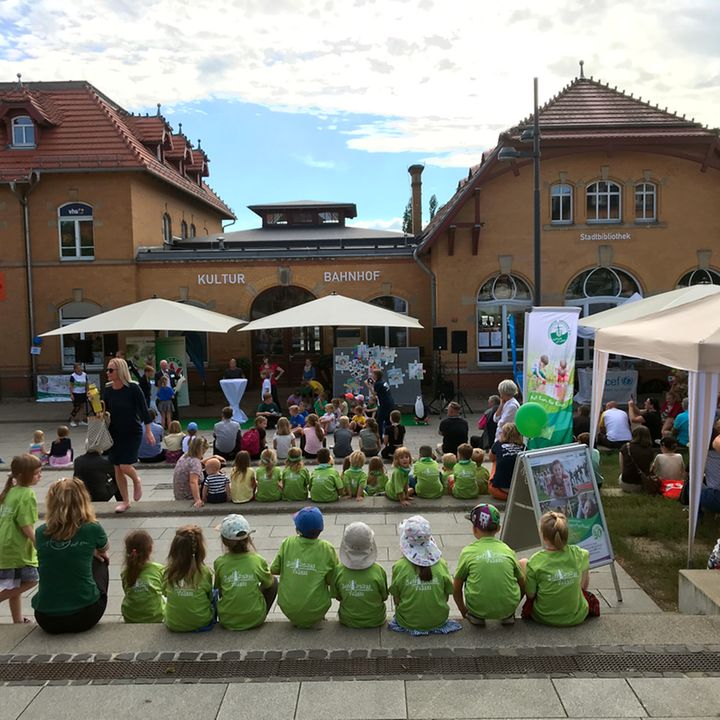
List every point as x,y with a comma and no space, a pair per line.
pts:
334,99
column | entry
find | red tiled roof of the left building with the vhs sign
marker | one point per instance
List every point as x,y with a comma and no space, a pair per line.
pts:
88,131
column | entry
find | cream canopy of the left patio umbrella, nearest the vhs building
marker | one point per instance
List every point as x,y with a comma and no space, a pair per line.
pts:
152,314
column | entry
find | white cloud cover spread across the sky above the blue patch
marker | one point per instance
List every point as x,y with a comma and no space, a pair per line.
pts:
440,78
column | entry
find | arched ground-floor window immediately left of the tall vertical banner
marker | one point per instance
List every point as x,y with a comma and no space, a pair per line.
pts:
499,298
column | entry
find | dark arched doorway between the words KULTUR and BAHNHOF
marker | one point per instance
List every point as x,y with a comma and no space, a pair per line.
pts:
286,346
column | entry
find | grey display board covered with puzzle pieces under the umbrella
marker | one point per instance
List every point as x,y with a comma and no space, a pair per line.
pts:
403,370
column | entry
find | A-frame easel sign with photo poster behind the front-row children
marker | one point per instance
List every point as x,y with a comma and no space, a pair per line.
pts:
561,479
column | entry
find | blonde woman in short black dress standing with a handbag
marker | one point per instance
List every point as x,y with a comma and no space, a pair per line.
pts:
128,412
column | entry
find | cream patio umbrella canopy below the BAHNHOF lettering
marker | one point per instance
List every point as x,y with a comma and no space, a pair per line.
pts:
333,311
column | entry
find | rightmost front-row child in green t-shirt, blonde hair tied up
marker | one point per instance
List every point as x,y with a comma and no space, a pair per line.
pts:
557,577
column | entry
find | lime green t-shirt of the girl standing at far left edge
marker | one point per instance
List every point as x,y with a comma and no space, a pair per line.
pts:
18,511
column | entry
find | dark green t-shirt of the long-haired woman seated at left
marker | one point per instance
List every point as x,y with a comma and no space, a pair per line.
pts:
66,580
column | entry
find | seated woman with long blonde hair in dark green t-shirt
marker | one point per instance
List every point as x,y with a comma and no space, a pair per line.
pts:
72,561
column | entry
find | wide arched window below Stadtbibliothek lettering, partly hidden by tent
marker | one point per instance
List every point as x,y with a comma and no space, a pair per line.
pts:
595,290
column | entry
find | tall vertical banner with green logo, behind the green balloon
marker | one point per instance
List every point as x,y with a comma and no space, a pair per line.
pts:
550,343
